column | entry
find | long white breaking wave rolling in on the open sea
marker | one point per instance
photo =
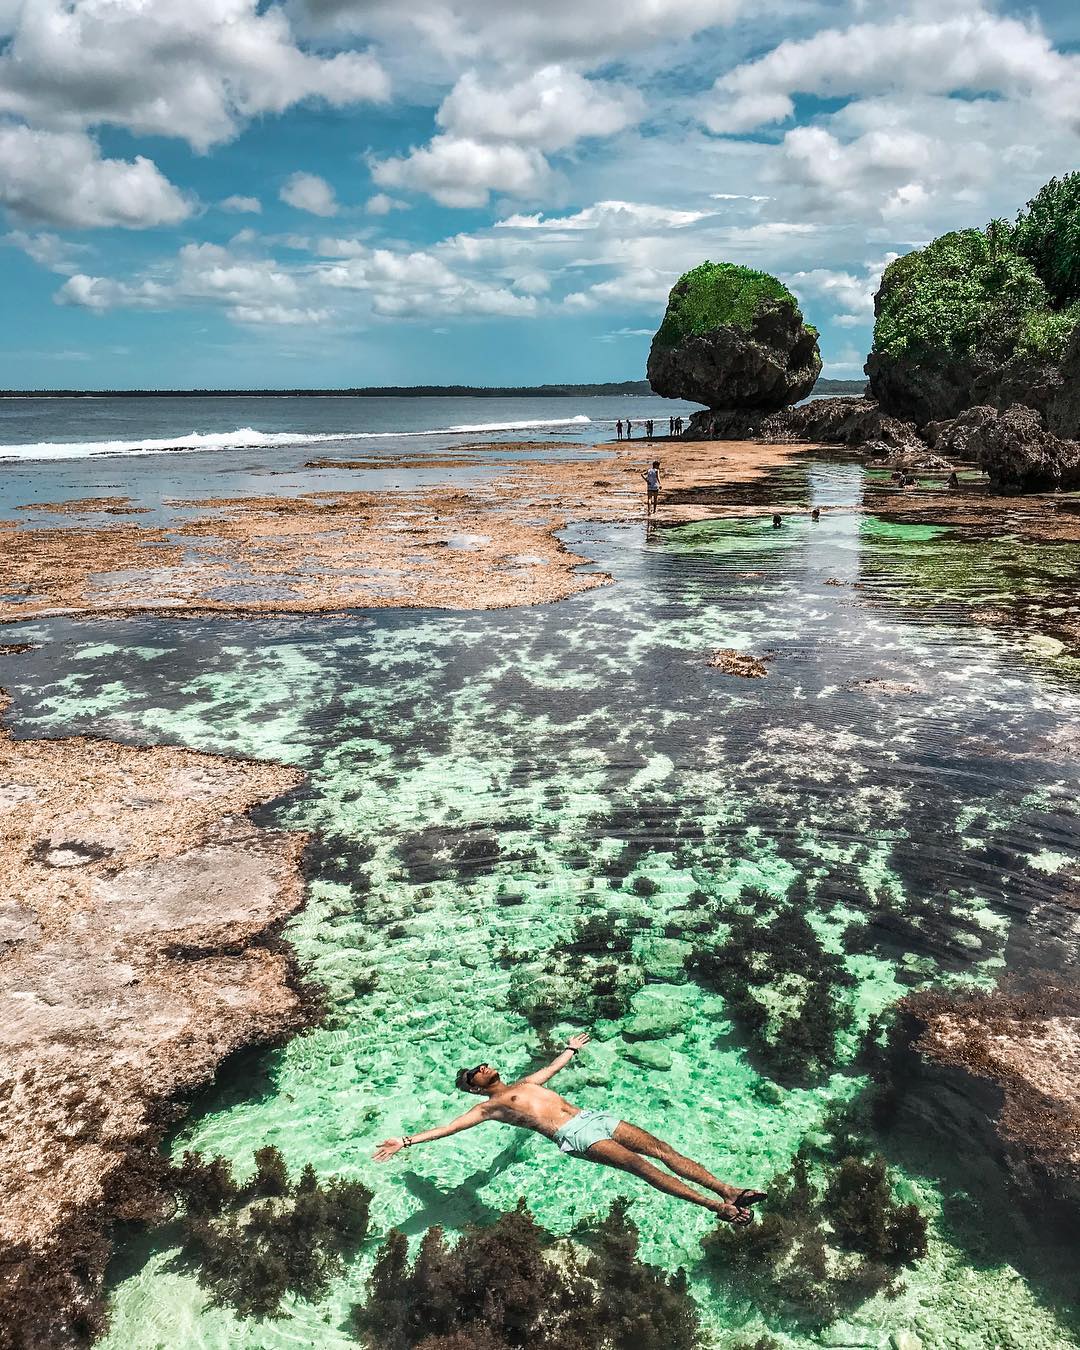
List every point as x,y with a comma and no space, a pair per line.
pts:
246,438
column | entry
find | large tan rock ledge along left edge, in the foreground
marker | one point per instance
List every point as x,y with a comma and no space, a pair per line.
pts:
138,948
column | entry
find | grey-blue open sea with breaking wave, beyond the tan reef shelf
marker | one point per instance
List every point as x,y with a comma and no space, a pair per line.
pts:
56,450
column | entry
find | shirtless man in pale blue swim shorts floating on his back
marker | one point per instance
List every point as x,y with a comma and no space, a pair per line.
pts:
596,1136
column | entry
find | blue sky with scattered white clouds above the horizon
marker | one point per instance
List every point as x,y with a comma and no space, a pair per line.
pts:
353,192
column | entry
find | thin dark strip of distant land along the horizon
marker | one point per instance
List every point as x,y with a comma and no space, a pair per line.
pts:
628,388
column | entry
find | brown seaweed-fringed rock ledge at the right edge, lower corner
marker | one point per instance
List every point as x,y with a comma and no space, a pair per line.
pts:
1029,1046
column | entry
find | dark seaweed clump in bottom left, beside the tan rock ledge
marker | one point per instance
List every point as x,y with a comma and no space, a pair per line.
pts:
254,1243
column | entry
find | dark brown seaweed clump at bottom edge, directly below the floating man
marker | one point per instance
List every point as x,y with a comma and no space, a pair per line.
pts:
512,1285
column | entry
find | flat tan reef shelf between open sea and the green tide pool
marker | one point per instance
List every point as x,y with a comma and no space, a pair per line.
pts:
484,545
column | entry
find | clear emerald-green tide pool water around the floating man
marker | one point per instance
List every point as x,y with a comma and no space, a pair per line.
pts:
472,774
